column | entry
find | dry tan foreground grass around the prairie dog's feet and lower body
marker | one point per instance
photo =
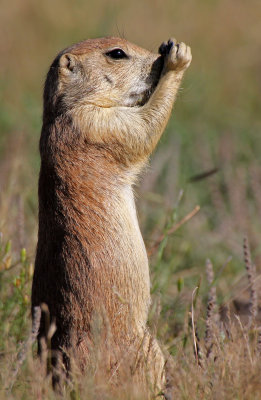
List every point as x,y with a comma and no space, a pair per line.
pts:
222,363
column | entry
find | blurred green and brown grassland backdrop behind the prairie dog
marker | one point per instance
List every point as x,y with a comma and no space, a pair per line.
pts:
209,155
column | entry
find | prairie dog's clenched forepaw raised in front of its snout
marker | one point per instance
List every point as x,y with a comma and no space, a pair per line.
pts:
177,56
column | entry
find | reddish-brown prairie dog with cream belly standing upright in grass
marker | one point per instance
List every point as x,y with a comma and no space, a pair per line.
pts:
106,104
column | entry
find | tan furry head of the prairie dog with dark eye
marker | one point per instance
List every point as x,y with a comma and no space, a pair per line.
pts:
107,72
